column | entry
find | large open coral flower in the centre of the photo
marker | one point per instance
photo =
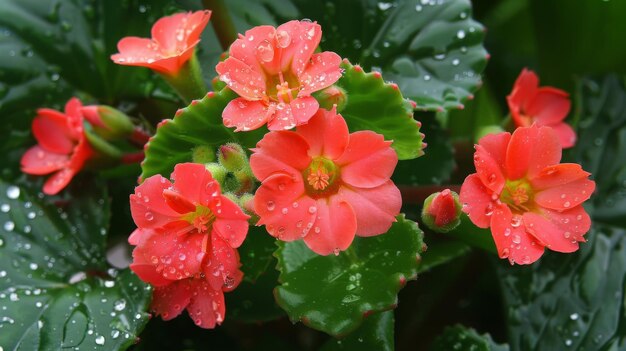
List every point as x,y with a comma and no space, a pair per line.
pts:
324,185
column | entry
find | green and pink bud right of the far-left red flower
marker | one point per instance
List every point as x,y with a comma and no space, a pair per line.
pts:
107,122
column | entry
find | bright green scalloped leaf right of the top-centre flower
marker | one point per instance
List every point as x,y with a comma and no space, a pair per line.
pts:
379,106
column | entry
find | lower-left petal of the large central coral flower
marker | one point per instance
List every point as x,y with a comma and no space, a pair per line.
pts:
282,206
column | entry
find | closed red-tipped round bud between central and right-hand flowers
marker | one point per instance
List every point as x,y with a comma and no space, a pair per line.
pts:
442,211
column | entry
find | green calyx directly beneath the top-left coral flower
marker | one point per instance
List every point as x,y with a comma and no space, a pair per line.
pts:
188,83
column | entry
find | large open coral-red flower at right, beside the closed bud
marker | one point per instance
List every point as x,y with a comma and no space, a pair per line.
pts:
529,200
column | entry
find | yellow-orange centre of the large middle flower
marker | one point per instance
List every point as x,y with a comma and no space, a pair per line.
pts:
322,178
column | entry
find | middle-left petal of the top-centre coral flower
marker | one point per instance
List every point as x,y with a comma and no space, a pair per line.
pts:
240,77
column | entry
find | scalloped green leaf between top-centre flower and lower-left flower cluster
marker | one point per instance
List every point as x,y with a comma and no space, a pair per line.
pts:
197,125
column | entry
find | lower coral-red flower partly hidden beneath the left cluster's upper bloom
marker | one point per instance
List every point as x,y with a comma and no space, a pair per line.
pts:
202,293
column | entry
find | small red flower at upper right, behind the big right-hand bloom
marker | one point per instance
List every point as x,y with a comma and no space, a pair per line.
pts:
545,106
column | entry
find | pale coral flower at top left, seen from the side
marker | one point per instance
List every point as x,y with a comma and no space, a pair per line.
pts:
173,41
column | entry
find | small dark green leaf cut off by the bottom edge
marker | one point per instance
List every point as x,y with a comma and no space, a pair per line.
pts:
459,337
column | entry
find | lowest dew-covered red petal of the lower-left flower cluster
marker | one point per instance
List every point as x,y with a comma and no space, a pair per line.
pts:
207,307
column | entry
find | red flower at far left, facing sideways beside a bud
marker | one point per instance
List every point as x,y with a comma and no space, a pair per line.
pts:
63,147
